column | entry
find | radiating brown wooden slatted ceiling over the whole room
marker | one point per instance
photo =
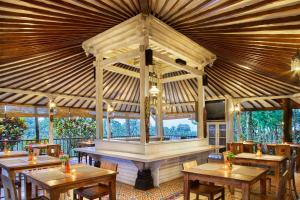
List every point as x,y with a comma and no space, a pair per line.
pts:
254,40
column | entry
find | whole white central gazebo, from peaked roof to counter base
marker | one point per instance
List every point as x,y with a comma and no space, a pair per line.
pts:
153,49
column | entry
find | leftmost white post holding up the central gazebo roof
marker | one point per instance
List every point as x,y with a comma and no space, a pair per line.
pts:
99,98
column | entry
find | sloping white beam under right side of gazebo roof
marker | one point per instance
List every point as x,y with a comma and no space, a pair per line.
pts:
172,62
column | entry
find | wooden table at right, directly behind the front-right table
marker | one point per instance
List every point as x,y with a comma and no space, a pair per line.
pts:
273,161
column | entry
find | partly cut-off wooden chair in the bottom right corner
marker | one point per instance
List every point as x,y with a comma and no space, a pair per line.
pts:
281,192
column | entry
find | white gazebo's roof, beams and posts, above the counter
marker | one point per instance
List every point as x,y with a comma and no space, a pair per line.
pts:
154,48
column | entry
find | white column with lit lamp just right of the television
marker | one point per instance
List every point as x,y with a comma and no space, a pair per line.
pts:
229,117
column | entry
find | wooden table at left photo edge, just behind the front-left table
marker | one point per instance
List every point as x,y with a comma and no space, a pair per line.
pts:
18,164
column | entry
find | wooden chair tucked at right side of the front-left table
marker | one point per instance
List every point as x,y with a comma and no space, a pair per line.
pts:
99,190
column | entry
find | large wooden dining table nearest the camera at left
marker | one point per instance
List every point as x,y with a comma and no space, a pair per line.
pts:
55,181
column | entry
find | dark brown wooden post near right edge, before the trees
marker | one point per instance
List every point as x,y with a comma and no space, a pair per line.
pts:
287,119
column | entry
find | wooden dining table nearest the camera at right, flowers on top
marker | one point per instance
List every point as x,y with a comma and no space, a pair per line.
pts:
239,177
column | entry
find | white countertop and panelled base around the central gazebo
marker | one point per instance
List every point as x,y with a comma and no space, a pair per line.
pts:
165,166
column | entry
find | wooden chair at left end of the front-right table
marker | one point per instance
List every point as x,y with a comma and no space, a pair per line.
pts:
204,190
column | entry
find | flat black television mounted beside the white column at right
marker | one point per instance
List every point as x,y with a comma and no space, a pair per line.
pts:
215,110
